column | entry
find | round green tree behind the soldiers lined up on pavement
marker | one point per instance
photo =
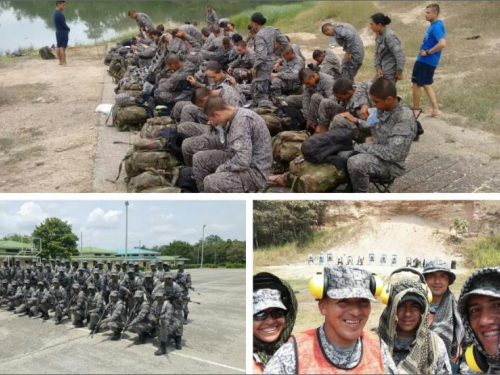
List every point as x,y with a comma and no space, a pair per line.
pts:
58,240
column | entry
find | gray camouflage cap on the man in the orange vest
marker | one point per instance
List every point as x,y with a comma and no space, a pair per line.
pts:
348,282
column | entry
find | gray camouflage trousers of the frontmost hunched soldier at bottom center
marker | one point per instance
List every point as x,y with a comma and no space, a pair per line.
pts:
205,163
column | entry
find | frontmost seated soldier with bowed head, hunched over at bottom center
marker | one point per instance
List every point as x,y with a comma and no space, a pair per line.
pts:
244,161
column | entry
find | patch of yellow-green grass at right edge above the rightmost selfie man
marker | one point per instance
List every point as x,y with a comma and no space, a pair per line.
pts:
483,252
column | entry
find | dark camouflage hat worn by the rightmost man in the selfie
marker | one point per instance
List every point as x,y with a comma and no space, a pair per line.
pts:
485,282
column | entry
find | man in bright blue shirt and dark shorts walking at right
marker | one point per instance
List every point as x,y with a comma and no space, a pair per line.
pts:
428,59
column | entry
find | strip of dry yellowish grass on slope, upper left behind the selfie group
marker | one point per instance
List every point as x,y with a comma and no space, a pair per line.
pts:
323,240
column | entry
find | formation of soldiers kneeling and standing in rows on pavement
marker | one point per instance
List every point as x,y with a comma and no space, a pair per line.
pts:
151,304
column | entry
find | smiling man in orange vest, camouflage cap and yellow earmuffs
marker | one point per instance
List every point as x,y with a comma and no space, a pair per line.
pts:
340,344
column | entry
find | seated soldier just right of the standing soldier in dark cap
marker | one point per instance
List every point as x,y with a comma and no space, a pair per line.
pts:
286,80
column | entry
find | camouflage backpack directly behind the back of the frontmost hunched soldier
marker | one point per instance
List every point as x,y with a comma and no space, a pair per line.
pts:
286,147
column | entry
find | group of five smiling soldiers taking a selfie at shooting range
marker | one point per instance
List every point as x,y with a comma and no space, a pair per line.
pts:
424,328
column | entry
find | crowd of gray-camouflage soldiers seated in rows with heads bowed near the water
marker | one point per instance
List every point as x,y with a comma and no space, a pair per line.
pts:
215,85
